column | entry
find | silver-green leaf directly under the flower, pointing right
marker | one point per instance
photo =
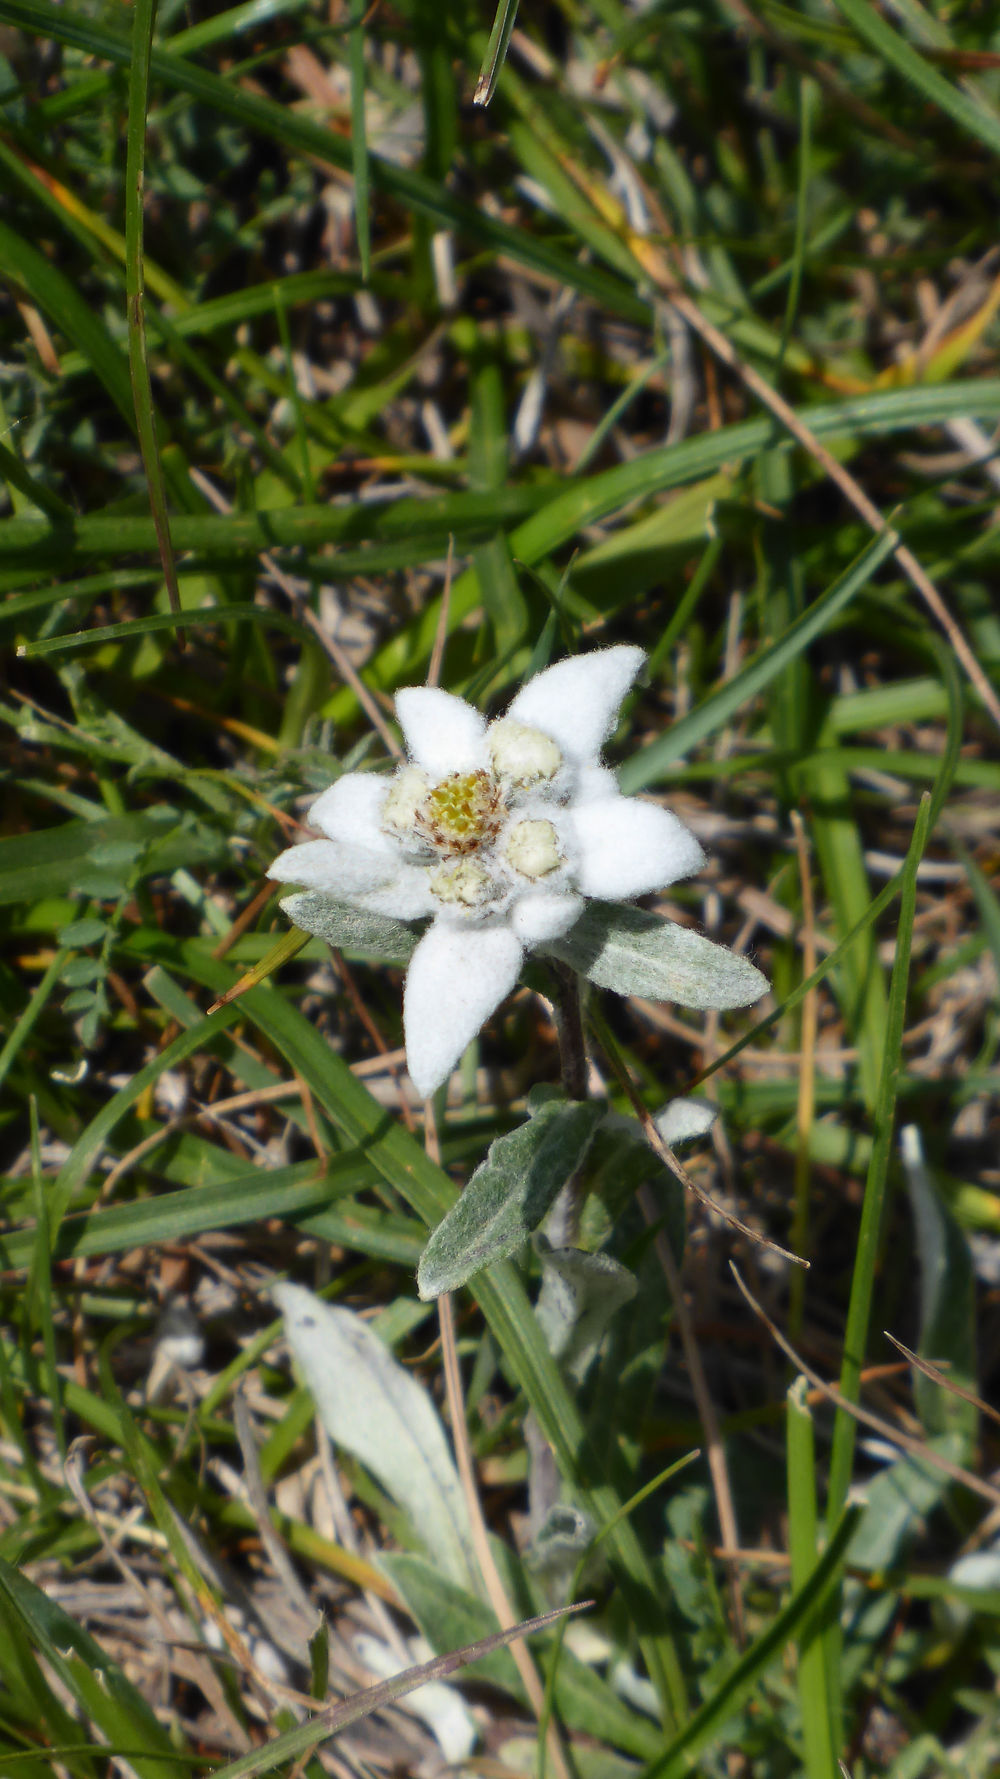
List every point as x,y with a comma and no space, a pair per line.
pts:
634,953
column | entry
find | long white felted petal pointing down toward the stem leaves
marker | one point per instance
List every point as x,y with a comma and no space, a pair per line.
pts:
456,978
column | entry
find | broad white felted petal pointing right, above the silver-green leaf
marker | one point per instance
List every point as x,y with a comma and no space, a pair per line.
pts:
629,848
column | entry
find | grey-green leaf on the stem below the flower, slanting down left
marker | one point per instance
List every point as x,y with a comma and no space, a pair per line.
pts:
510,1195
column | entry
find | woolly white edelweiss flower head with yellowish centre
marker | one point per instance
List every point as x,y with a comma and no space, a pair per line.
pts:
499,832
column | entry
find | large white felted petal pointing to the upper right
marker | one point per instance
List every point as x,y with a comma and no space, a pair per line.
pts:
577,700
